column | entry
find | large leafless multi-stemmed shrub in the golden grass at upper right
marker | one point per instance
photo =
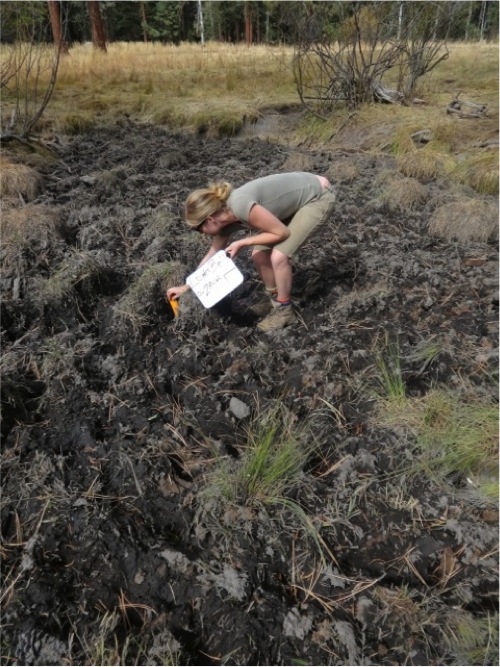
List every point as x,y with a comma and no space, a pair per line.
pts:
364,56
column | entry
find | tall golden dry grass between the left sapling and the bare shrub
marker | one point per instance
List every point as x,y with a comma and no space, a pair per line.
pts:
187,86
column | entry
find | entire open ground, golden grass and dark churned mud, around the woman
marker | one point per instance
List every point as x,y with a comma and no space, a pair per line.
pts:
186,490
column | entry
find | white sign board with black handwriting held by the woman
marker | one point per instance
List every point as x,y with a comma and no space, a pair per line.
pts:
212,281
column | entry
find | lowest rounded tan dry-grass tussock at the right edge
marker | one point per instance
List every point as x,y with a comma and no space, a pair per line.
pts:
466,220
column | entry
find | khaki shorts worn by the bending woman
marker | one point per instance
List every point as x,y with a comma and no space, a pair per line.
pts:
304,222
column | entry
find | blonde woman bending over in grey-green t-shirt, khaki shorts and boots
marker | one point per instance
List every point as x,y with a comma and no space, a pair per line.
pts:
279,212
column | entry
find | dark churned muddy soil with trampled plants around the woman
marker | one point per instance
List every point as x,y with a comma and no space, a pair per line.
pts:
115,416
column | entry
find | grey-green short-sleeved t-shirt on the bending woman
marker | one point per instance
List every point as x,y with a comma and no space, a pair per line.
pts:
281,194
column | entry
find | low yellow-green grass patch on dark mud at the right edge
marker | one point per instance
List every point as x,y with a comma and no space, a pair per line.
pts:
457,435
